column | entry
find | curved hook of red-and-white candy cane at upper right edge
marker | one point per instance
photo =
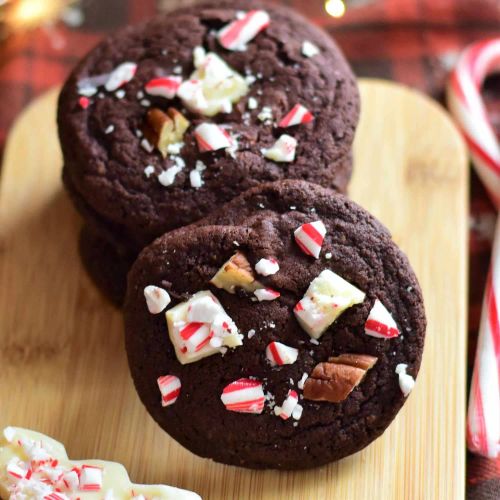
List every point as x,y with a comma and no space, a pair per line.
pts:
466,105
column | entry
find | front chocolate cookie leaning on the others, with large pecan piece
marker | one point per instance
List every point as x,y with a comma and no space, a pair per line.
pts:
286,342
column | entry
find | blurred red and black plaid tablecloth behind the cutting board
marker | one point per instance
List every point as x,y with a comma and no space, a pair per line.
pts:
415,42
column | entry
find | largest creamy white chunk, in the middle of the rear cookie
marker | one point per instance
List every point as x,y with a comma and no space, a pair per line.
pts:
213,87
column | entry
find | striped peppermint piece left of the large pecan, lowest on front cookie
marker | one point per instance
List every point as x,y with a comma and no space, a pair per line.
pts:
244,395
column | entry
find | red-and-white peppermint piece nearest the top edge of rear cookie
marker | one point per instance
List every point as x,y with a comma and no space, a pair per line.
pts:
239,32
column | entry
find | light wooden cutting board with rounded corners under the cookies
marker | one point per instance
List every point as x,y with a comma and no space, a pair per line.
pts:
62,363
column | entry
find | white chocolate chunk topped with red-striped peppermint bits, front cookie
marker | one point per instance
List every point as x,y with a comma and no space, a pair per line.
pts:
197,339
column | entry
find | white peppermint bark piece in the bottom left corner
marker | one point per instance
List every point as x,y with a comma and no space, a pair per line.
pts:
56,479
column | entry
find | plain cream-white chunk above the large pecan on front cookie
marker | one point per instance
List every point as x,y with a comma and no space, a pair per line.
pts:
327,297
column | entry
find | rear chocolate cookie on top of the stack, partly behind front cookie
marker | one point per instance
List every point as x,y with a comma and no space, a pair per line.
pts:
164,122
